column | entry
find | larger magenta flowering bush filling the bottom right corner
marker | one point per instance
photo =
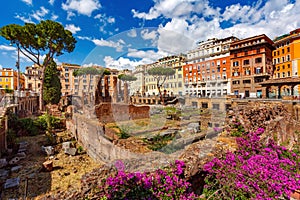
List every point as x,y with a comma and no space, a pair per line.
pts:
255,171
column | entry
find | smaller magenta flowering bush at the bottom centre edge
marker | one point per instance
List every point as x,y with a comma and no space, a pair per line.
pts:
166,184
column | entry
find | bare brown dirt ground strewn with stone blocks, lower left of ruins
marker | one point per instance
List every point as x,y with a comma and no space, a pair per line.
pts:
66,174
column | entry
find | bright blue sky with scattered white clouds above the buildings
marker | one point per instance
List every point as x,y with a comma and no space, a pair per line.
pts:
122,34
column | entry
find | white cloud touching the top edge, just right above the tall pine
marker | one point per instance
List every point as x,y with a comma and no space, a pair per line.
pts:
84,7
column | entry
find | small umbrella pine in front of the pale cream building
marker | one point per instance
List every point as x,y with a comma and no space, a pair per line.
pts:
160,75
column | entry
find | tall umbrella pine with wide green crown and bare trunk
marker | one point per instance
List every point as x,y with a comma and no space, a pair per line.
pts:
45,39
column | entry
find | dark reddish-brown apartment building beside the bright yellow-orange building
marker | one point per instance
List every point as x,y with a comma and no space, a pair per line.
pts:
251,64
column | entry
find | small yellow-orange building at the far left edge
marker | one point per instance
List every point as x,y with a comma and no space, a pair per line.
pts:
9,79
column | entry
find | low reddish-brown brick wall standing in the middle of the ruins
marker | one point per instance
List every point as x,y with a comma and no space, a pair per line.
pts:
112,112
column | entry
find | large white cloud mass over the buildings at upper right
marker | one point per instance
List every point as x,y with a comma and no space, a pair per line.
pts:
202,21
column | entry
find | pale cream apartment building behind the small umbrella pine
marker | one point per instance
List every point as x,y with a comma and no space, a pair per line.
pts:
173,84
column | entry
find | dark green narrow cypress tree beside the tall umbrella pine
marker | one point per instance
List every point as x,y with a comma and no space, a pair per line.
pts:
52,85
